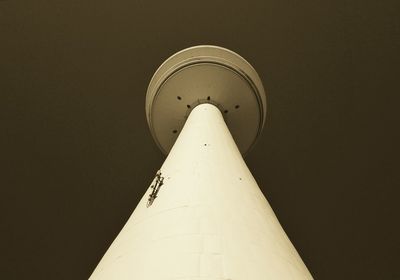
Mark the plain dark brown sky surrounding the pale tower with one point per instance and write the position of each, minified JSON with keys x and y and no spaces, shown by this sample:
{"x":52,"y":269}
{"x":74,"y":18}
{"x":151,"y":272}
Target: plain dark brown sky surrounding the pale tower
{"x":77,"y":155}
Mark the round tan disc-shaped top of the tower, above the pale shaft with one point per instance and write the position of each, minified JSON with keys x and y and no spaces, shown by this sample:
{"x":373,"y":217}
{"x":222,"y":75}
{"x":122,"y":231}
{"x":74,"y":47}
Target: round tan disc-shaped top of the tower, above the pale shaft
{"x":206,"y":74}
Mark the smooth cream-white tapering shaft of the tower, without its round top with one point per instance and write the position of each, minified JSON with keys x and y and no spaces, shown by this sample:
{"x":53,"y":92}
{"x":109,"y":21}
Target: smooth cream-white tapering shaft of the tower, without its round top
{"x":209,"y":221}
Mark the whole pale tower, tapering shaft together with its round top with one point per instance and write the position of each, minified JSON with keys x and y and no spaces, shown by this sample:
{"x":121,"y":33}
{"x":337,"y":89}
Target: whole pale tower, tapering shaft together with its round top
{"x":203,"y":217}
